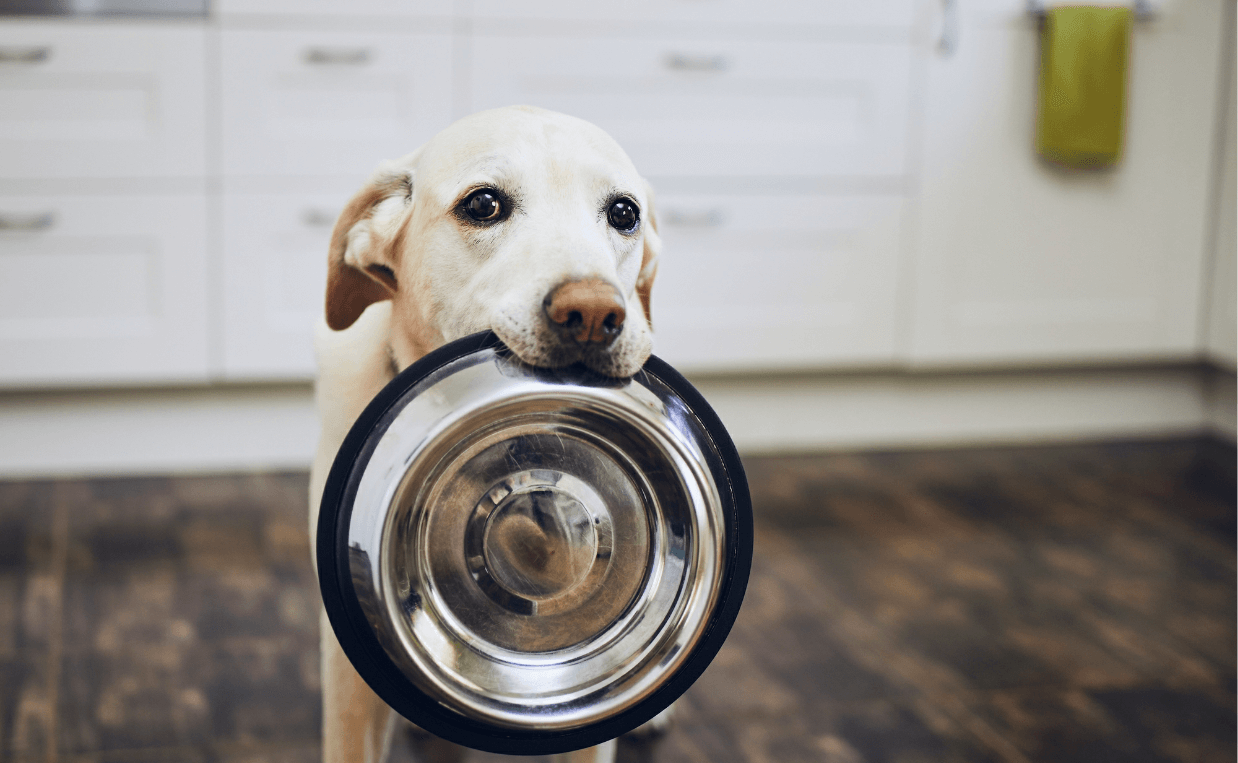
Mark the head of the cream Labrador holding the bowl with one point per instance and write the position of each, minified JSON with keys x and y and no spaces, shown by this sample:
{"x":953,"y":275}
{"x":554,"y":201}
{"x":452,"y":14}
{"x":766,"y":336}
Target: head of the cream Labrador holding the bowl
{"x":527,"y":222}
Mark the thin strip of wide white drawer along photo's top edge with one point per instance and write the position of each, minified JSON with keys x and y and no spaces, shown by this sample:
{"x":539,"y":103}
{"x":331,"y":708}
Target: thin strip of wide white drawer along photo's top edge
{"x":842,"y":13}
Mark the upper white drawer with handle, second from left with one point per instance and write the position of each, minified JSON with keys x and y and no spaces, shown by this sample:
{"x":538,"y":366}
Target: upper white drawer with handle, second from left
{"x":301,"y":103}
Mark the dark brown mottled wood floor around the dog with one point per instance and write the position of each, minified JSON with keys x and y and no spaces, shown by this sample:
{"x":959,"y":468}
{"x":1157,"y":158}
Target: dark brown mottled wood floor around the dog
{"x":1055,"y":604}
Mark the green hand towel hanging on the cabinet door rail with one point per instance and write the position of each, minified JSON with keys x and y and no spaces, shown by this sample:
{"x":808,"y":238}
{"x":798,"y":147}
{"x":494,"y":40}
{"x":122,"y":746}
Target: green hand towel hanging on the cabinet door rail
{"x":1083,"y":86}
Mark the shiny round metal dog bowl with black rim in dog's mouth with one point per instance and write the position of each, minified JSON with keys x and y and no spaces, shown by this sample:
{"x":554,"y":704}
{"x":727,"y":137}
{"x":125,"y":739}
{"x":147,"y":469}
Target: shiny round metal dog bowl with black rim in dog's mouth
{"x":527,"y":560}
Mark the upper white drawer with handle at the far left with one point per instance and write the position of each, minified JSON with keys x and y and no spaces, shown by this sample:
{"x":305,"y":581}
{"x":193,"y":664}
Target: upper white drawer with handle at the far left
{"x":102,"y":101}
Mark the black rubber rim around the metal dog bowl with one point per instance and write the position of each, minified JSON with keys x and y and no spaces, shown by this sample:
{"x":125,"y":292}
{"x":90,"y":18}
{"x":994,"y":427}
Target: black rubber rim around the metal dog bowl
{"x":387,"y":681}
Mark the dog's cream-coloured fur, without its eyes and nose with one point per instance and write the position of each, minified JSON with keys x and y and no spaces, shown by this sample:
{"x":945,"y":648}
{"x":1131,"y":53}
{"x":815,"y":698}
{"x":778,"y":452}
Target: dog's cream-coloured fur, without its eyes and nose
{"x":422,"y":277}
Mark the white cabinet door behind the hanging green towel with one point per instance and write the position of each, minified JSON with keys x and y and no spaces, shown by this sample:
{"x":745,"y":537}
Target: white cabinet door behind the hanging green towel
{"x":1022,"y":262}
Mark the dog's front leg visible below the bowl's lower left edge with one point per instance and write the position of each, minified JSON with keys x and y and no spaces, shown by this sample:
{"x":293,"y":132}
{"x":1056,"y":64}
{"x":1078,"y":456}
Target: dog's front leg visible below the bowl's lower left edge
{"x":355,"y":720}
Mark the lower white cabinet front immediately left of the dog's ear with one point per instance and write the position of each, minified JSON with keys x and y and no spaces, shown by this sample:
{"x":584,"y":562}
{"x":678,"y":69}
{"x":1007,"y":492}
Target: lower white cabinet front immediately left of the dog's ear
{"x":275,"y":277}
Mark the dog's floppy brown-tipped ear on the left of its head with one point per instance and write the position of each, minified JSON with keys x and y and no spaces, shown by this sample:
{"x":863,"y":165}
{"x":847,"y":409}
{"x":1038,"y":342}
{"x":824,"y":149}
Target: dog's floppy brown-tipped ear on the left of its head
{"x":362,"y":261}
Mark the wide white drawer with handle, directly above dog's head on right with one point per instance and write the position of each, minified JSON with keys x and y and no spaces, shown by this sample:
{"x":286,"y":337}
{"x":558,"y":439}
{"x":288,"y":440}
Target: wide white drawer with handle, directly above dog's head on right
{"x":691,"y":108}
